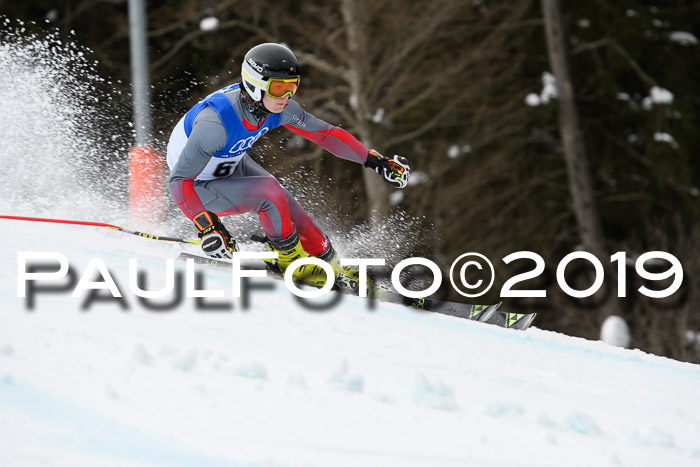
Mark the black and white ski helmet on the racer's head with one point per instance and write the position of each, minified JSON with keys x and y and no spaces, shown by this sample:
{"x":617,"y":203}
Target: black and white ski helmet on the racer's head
{"x":266,"y":61}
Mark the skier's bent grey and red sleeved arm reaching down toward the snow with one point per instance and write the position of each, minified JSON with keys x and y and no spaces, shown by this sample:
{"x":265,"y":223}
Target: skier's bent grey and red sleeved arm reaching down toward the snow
{"x":208,"y":136}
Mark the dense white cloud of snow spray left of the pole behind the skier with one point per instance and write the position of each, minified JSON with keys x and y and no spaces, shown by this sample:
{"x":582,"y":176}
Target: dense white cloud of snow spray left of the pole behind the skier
{"x":63,"y":144}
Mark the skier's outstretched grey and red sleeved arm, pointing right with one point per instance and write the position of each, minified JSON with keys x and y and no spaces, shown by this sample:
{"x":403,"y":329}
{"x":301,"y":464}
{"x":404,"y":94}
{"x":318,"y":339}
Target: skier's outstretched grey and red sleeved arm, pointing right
{"x":333,"y":139}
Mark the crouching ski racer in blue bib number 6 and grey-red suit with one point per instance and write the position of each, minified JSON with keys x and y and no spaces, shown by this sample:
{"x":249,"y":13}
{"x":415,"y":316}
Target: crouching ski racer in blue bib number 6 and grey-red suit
{"x":212,"y":175}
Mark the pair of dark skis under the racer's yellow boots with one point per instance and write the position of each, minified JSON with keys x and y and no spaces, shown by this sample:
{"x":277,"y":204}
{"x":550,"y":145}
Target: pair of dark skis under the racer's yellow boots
{"x":489,"y":314}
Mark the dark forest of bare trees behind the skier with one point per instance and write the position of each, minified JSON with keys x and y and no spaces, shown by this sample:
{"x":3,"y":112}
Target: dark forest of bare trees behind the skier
{"x":461,"y":88}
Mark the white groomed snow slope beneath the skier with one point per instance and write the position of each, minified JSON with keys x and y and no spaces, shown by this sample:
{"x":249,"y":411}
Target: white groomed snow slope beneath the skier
{"x":279,"y":385}
